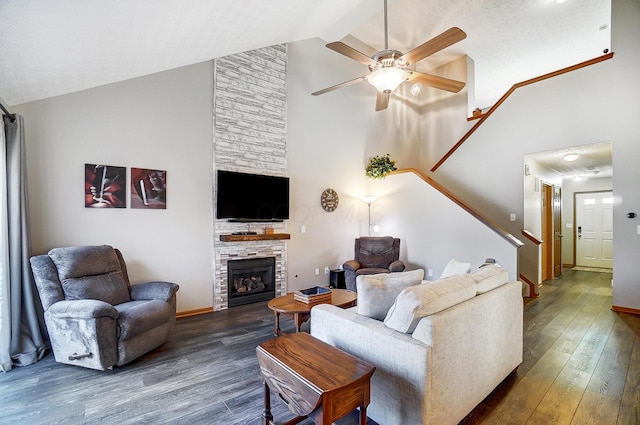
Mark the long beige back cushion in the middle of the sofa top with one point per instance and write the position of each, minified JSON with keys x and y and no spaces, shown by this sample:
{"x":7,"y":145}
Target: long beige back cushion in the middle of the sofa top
{"x":416,"y":302}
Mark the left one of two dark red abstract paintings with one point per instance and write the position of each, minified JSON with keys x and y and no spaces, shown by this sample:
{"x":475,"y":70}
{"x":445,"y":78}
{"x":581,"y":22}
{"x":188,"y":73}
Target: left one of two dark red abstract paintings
{"x":104,"y":186}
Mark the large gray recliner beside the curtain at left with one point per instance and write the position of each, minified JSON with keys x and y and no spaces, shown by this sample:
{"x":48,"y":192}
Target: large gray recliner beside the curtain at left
{"x":95,"y":318}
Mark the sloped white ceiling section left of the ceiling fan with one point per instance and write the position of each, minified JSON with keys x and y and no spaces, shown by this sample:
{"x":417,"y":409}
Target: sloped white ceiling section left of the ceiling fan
{"x":48,"y":48}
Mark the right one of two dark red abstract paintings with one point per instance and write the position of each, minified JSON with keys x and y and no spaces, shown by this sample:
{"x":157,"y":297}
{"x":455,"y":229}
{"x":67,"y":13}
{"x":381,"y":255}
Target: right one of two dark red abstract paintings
{"x":148,"y":188}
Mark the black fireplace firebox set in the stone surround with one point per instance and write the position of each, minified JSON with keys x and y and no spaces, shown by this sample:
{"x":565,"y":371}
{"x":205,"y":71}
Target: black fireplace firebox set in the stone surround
{"x":251,"y":280}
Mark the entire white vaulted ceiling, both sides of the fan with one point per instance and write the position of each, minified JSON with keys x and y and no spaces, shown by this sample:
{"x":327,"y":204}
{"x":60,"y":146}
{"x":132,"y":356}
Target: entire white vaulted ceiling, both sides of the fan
{"x":48,"y":48}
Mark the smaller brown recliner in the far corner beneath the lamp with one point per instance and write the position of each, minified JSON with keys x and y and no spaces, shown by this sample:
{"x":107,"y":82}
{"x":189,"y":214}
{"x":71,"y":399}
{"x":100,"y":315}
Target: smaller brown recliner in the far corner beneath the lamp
{"x":373,"y":255}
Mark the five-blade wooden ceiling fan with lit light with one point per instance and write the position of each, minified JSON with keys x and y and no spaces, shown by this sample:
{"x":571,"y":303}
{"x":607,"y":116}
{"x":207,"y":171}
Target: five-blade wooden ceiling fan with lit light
{"x":390,"y":68}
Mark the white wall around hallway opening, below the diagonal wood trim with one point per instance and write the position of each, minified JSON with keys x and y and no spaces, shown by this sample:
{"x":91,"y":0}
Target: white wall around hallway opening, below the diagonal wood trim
{"x":592,"y":105}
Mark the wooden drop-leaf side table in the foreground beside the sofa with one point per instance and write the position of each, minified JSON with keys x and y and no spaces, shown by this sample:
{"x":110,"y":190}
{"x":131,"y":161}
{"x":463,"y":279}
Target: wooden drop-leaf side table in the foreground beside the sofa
{"x":313,"y":378}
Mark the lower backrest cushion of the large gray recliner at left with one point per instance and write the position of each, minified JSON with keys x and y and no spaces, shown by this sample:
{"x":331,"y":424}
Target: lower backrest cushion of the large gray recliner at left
{"x":109,"y":288}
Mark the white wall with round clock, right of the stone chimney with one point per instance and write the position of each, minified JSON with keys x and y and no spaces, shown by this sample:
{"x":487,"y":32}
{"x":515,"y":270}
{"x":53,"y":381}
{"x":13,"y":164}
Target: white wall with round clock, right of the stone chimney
{"x":330,"y":139}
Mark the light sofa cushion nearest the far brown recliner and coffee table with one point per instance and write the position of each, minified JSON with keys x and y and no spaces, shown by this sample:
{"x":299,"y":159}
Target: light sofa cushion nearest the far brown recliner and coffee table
{"x":377,"y":292}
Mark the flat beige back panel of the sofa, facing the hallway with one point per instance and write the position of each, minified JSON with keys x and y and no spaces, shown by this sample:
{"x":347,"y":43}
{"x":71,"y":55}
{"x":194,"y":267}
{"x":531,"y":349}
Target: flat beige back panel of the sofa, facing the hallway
{"x":476,"y":344}
